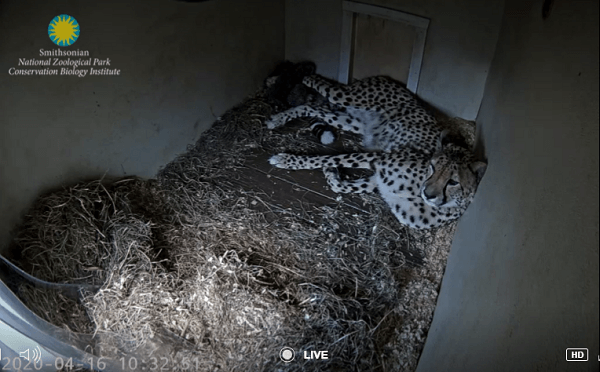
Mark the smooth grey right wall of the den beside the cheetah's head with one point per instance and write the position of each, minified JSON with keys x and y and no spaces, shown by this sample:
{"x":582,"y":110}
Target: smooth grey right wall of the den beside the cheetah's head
{"x":521,"y":283}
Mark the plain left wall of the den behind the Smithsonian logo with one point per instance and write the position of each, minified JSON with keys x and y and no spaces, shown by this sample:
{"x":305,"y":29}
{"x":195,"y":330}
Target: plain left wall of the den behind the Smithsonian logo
{"x":181,"y":66}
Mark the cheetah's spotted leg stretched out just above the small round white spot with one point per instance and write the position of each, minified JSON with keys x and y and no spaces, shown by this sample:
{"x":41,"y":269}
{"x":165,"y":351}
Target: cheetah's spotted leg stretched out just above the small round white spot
{"x":340,"y":120}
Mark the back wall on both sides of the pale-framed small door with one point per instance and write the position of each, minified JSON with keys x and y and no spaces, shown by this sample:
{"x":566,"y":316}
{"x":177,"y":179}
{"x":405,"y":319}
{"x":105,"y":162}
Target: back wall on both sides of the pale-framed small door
{"x":458,"y":52}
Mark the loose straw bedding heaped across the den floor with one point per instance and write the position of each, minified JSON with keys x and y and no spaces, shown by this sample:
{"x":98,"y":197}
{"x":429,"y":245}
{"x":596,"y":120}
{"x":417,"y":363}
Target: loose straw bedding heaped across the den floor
{"x":192,"y":270}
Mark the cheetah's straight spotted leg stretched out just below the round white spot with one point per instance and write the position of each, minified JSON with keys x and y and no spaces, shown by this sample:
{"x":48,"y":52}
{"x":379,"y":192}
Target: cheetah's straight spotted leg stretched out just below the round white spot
{"x":355,"y":160}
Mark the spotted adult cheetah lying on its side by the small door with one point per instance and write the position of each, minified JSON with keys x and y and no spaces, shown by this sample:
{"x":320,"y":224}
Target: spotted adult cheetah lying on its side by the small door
{"x":427,"y":177}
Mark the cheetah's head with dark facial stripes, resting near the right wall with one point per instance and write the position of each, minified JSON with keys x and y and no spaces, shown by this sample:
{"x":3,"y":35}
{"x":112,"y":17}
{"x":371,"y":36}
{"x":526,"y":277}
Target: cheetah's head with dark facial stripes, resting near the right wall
{"x":453,"y":175}
